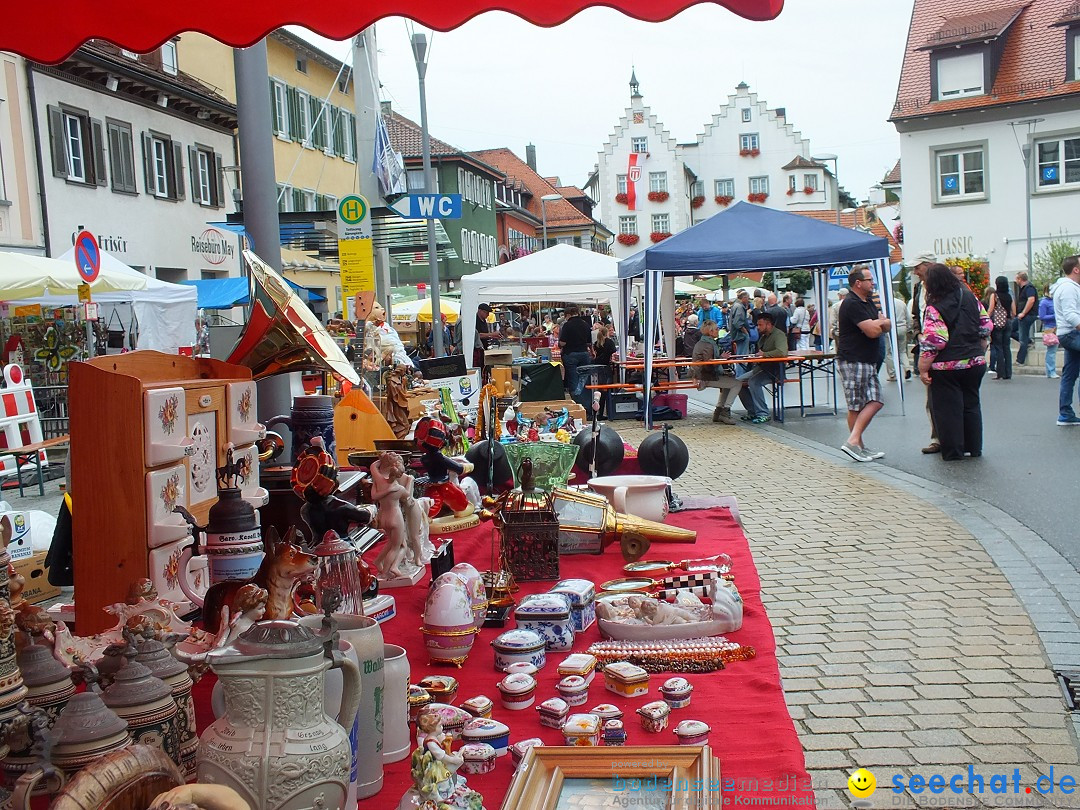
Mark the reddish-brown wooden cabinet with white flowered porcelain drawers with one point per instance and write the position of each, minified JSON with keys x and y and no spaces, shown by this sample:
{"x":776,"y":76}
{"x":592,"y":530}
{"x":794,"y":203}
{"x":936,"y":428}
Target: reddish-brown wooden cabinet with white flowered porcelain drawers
{"x":148,"y":433}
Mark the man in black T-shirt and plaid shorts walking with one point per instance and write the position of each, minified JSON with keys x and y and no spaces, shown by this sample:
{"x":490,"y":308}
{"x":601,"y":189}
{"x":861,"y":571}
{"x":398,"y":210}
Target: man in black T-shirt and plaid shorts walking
{"x":861,"y":325}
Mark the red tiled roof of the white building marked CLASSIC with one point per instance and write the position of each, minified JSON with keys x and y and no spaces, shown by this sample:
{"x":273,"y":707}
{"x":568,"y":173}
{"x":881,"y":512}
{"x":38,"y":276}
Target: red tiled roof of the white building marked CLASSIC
{"x":1033,"y":63}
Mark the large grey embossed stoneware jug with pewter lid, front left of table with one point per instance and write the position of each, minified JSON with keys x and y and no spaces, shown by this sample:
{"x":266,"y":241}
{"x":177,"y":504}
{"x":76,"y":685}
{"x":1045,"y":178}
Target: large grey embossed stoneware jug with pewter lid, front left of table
{"x":276,"y":746}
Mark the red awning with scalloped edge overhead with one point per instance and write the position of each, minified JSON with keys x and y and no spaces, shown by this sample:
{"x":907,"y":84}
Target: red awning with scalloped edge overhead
{"x":51,"y":31}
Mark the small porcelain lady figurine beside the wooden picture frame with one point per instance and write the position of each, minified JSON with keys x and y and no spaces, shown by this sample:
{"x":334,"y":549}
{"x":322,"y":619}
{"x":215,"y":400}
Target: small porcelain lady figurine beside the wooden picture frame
{"x":435,"y":772}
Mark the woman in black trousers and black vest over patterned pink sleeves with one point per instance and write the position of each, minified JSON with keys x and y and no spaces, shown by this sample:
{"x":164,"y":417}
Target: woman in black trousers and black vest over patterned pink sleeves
{"x":953,"y":361}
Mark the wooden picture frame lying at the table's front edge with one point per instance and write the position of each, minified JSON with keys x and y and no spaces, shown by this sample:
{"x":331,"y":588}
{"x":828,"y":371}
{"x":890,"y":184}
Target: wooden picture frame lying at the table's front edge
{"x":551,"y":778}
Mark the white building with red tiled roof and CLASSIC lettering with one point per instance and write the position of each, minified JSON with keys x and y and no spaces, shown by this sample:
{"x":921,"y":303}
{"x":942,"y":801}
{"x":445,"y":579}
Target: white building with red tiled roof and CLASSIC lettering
{"x":982,"y":86}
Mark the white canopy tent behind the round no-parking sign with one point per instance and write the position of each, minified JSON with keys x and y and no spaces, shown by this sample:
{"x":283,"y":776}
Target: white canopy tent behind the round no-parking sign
{"x":166,"y":313}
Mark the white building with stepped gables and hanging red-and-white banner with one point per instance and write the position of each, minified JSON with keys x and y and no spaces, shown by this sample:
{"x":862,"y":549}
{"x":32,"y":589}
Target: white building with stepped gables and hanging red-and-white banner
{"x":748,"y":152}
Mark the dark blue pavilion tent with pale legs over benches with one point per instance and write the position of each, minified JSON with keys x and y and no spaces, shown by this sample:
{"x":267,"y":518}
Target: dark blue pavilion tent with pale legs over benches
{"x":752,"y":238}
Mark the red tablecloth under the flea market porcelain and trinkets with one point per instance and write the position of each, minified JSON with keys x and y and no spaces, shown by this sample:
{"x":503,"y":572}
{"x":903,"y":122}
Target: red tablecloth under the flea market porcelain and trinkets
{"x":753,"y":735}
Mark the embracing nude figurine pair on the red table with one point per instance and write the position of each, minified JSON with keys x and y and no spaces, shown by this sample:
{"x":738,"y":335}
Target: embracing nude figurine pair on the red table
{"x":393,"y":491}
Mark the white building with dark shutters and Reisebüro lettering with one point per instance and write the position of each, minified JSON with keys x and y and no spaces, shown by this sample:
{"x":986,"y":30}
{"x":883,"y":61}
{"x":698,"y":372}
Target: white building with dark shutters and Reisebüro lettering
{"x":136,"y":151}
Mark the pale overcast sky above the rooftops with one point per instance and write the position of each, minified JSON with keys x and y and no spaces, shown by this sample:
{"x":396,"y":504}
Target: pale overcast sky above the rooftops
{"x":501,"y":82}
